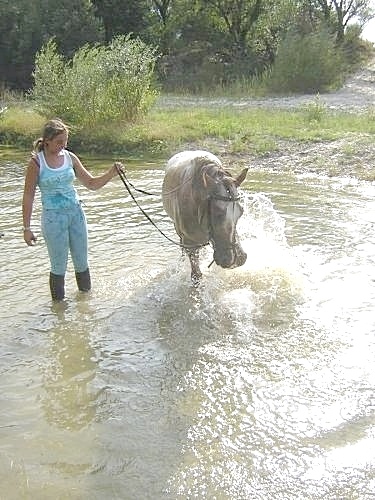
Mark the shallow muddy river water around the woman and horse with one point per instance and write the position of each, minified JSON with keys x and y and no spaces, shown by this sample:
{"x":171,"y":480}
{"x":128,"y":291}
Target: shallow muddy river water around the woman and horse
{"x":260,"y":384}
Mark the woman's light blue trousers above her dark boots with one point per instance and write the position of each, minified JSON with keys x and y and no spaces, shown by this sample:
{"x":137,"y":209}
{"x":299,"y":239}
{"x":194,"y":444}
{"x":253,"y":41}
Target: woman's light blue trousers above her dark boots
{"x":65,"y":230}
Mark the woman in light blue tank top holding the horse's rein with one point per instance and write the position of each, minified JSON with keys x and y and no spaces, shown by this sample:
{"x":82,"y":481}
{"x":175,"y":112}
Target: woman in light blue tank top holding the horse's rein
{"x":54,"y":169}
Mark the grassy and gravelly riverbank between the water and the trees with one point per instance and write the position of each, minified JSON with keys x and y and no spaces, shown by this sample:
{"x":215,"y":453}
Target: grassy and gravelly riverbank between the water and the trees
{"x":330,"y":134}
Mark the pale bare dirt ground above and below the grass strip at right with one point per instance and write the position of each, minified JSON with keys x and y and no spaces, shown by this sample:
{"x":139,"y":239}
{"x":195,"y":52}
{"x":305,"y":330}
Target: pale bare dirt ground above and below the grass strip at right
{"x":351,"y":156}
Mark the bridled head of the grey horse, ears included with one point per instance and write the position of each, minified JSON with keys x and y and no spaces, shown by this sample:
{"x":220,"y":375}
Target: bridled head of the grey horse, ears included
{"x":223,"y":212}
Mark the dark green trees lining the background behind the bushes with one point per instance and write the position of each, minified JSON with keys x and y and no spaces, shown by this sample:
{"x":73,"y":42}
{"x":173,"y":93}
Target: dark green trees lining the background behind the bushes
{"x":204,"y":43}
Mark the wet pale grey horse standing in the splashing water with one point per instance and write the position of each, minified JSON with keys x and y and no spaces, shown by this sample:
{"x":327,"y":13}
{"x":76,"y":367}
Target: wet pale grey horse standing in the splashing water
{"x":202,"y":200}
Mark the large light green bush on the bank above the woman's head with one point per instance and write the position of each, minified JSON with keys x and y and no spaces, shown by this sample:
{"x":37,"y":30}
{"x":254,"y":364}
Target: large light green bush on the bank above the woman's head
{"x":101,"y":84}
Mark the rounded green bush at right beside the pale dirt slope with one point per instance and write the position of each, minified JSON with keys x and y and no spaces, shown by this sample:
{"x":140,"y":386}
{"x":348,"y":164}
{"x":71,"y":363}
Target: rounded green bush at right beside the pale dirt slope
{"x":307,"y":63}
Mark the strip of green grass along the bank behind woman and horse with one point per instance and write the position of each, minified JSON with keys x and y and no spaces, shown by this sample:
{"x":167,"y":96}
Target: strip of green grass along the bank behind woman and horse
{"x":164,"y":130}
